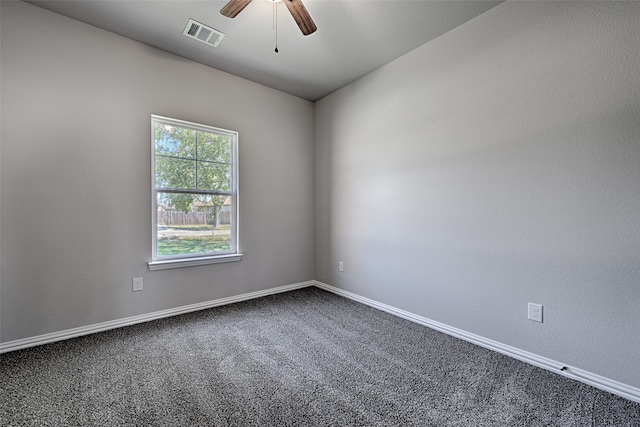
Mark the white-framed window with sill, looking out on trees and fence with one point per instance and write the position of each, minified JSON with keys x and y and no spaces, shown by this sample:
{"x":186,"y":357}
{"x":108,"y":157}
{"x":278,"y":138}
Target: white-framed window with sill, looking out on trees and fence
{"x":195,"y":194}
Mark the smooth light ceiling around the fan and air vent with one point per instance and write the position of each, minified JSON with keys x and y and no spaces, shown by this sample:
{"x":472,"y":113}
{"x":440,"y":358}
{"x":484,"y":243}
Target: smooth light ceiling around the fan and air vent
{"x":354,"y":37}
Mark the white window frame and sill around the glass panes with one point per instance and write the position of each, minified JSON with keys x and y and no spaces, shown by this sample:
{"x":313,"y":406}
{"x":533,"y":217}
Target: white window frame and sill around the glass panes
{"x":175,"y":261}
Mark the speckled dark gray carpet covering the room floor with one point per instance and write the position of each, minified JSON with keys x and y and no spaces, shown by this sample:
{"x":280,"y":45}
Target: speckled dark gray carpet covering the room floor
{"x":302,"y":358}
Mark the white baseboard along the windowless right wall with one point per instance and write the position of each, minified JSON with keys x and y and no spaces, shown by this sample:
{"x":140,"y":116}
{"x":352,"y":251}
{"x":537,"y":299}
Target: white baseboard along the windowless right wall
{"x":595,"y":380}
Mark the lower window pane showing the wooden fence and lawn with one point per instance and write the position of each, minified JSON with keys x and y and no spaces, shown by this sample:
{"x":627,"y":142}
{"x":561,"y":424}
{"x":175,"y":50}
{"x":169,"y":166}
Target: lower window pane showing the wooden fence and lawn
{"x":193,"y":224}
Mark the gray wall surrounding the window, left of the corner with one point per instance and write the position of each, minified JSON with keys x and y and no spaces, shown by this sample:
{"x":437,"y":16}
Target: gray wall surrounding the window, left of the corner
{"x":75,"y":174}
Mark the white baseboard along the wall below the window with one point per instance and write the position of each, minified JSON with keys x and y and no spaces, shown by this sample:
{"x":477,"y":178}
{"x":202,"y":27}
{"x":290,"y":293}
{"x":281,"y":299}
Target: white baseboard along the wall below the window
{"x":99,"y":327}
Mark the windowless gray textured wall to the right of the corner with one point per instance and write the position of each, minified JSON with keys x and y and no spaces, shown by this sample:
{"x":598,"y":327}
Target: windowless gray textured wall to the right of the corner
{"x":497,"y":165}
